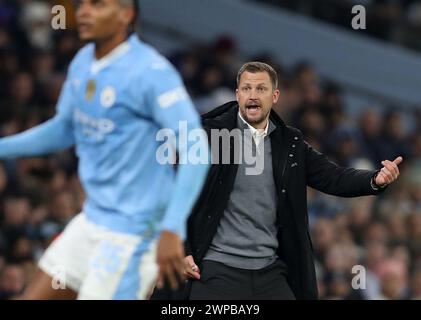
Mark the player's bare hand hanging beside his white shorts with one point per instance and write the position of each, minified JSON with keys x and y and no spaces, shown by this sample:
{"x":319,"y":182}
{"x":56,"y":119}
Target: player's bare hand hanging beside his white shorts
{"x":170,"y":259}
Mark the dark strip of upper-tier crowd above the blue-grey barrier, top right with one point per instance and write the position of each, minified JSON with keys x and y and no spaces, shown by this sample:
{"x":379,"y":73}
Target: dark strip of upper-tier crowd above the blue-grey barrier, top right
{"x":398,"y":21}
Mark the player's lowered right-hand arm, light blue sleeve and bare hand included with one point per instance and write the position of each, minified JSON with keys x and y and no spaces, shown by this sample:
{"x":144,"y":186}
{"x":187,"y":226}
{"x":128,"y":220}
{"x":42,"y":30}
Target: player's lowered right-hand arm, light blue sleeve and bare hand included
{"x":170,"y":106}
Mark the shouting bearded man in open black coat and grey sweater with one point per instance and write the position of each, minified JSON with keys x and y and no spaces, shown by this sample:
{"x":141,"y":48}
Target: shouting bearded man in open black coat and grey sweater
{"x":248,"y":237}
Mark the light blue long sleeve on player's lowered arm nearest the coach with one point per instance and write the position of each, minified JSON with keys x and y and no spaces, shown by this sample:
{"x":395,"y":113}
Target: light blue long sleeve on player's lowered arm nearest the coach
{"x":172,"y":108}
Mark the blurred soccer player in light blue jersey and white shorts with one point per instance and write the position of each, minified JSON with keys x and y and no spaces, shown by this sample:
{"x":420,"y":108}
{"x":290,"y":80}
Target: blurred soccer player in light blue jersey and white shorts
{"x":118,"y":93}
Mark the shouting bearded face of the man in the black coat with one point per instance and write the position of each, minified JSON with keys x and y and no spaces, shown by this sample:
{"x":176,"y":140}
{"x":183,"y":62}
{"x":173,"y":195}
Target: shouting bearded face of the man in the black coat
{"x":255,"y":97}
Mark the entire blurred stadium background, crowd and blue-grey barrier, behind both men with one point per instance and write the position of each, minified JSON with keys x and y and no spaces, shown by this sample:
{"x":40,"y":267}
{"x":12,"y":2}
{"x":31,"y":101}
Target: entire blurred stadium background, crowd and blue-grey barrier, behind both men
{"x":355,"y":94}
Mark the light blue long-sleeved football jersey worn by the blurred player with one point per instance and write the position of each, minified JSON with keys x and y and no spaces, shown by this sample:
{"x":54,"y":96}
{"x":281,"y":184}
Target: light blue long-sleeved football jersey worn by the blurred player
{"x":112,"y":109}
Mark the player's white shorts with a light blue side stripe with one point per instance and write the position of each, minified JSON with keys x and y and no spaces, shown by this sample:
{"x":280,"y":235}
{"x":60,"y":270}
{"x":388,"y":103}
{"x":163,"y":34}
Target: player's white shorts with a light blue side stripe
{"x":99,"y":263}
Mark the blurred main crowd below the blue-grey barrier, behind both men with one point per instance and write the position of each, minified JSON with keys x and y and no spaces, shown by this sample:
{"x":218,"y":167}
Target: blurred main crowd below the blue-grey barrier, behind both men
{"x":38,"y":196}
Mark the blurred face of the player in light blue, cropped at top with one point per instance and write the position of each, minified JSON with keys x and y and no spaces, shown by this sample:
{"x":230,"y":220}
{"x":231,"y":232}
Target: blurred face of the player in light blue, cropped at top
{"x":101,"y":19}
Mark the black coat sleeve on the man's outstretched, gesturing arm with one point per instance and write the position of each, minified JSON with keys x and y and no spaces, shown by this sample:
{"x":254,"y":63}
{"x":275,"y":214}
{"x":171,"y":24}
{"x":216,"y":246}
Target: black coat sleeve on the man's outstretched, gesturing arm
{"x":326,"y":176}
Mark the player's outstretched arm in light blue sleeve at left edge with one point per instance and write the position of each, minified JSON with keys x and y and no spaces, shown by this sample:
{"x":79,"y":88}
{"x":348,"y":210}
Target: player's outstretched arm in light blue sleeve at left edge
{"x":53,"y":135}
